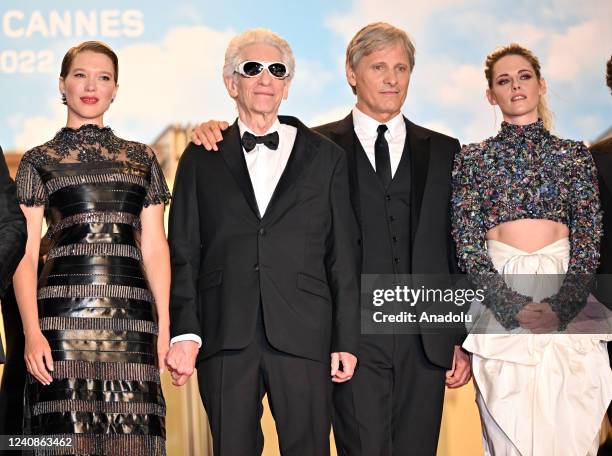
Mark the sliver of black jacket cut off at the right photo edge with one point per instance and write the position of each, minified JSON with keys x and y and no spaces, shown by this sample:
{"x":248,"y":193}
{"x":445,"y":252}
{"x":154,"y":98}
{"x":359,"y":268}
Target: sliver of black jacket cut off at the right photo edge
{"x":602,"y":154}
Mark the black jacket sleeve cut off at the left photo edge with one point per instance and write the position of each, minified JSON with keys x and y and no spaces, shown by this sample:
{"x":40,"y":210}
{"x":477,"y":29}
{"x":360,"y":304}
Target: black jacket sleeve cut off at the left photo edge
{"x":12,"y":231}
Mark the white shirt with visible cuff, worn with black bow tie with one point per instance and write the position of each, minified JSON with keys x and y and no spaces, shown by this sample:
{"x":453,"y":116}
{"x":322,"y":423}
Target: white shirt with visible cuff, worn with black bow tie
{"x":265,"y":168}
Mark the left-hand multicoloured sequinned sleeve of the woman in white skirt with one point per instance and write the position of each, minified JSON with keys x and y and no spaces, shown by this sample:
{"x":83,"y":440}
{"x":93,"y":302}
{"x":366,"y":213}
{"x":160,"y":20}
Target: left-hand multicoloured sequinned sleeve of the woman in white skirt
{"x":469,"y":231}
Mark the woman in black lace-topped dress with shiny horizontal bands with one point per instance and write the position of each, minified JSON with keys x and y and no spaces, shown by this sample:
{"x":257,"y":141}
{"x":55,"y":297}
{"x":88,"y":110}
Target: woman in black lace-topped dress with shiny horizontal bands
{"x":97,"y":324}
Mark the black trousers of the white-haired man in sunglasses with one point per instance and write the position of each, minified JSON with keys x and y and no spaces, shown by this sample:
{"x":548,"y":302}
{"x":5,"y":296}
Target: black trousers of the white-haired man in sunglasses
{"x":232,"y":385}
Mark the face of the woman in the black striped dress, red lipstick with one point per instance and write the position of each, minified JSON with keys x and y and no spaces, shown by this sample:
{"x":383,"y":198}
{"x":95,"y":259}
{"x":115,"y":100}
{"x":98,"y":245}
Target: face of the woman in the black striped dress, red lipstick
{"x":89,"y":87}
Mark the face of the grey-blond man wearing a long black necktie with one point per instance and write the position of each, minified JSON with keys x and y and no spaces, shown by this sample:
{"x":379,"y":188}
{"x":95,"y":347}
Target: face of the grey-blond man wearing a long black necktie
{"x":381,"y":80}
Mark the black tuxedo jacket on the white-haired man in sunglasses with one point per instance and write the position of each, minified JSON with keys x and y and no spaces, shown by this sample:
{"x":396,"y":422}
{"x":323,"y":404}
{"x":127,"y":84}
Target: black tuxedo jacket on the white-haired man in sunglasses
{"x":300,"y":260}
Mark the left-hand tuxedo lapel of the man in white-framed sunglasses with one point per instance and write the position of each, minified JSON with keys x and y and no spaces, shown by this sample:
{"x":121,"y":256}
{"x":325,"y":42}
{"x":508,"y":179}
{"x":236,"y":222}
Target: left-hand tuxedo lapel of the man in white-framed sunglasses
{"x":231,"y":151}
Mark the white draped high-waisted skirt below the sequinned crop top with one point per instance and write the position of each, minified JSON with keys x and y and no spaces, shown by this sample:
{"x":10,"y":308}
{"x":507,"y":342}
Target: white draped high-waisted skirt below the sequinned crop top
{"x":539,"y":394}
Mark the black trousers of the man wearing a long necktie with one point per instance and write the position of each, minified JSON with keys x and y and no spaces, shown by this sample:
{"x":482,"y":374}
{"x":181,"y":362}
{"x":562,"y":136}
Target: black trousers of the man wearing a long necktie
{"x":393,"y":404}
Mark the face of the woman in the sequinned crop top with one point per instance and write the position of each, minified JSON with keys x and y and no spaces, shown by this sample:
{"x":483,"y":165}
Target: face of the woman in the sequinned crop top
{"x":516,"y":89}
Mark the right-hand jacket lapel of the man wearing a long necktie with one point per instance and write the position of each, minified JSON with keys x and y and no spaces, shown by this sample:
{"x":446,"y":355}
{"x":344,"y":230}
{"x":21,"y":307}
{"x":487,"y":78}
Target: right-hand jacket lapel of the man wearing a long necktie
{"x":419,"y":155}
